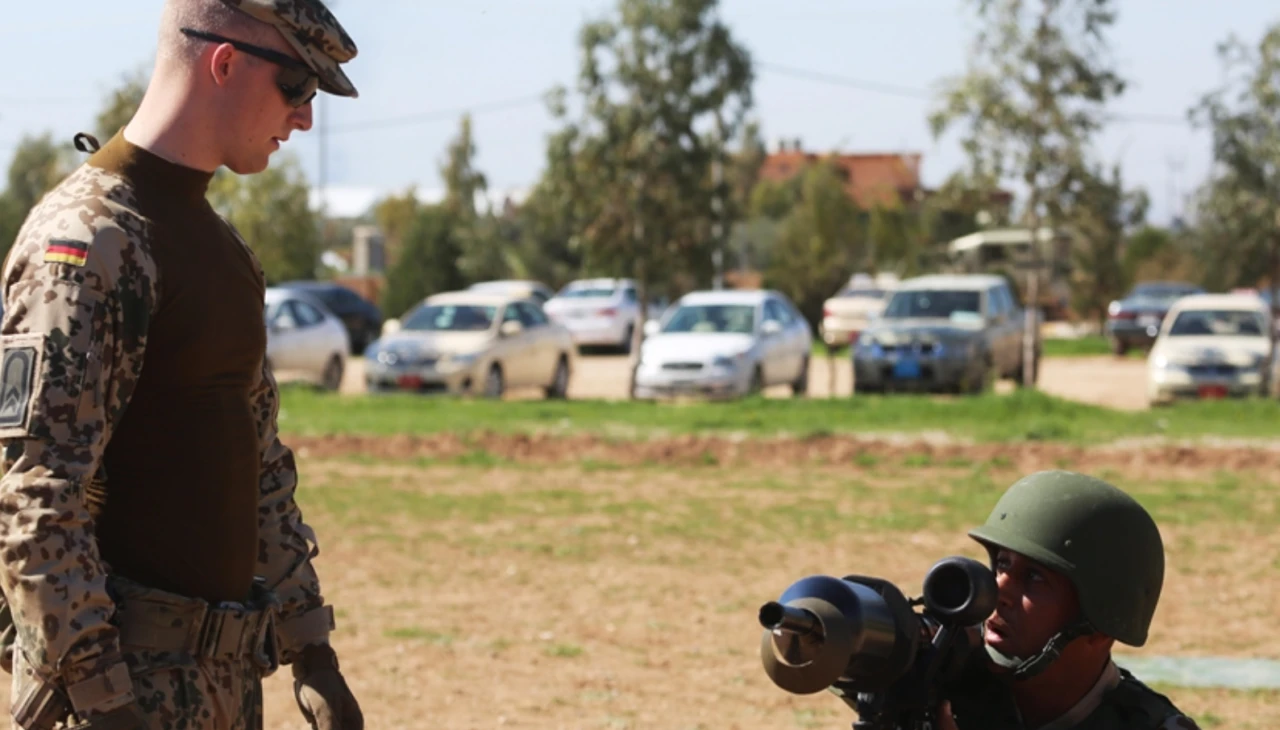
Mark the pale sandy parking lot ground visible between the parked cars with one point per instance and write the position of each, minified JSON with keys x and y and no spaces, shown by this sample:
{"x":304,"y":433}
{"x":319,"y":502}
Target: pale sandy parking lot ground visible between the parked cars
{"x":1114,"y":382}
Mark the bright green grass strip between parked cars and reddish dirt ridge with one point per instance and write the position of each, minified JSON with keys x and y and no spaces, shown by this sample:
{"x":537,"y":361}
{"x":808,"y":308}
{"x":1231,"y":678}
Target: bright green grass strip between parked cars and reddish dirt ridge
{"x":994,"y":418}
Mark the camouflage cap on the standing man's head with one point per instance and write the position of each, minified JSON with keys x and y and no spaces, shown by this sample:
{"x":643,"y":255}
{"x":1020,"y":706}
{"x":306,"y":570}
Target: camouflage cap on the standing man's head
{"x":314,"y":33}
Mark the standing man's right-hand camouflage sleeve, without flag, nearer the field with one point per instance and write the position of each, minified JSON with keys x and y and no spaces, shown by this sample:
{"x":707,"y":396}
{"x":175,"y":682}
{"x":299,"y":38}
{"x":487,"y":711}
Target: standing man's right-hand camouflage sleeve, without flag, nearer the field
{"x":286,"y":544}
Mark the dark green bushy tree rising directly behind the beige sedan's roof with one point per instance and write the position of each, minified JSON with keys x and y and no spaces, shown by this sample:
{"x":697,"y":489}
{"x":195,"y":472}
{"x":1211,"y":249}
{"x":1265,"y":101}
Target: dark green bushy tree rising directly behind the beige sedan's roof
{"x":428,"y":262}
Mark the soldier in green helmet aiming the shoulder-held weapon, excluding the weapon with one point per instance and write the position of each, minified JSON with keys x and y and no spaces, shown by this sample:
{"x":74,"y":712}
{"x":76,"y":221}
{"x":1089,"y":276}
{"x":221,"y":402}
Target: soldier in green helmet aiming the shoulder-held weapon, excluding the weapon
{"x":1080,"y":565}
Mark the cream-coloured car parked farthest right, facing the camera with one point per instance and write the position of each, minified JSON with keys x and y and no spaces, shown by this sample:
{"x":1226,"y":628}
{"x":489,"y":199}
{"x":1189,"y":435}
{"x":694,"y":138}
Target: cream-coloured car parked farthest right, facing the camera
{"x":1213,"y":346}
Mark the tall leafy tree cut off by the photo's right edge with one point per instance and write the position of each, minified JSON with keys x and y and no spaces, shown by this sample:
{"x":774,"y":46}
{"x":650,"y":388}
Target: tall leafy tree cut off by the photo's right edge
{"x":1240,"y":209}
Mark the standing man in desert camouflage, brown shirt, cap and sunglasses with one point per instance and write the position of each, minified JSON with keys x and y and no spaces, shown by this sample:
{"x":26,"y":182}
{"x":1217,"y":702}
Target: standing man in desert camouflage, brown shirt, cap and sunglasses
{"x":156,"y":563}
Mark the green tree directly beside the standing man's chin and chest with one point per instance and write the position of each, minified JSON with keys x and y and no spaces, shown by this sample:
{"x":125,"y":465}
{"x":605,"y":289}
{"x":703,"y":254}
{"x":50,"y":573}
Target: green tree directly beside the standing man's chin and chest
{"x":272,"y":212}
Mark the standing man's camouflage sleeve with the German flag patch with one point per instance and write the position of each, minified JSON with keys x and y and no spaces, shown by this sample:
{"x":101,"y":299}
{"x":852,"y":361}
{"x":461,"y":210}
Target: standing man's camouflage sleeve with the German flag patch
{"x":77,"y":313}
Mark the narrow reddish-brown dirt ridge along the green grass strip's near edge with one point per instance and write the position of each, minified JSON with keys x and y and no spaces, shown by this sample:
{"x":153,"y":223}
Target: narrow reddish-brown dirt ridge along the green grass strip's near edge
{"x":825,"y":450}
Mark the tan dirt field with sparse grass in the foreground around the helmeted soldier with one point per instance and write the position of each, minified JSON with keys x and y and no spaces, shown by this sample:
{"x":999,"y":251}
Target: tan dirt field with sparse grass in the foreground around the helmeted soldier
{"x":574,"y":583}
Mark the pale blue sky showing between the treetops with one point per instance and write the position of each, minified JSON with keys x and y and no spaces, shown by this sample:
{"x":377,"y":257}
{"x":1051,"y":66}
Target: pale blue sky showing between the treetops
{"x":424,"y":62}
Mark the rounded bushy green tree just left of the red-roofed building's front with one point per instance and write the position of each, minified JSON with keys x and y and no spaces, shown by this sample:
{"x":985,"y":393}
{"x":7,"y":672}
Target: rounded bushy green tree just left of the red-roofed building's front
{"x":820,"y":245}
